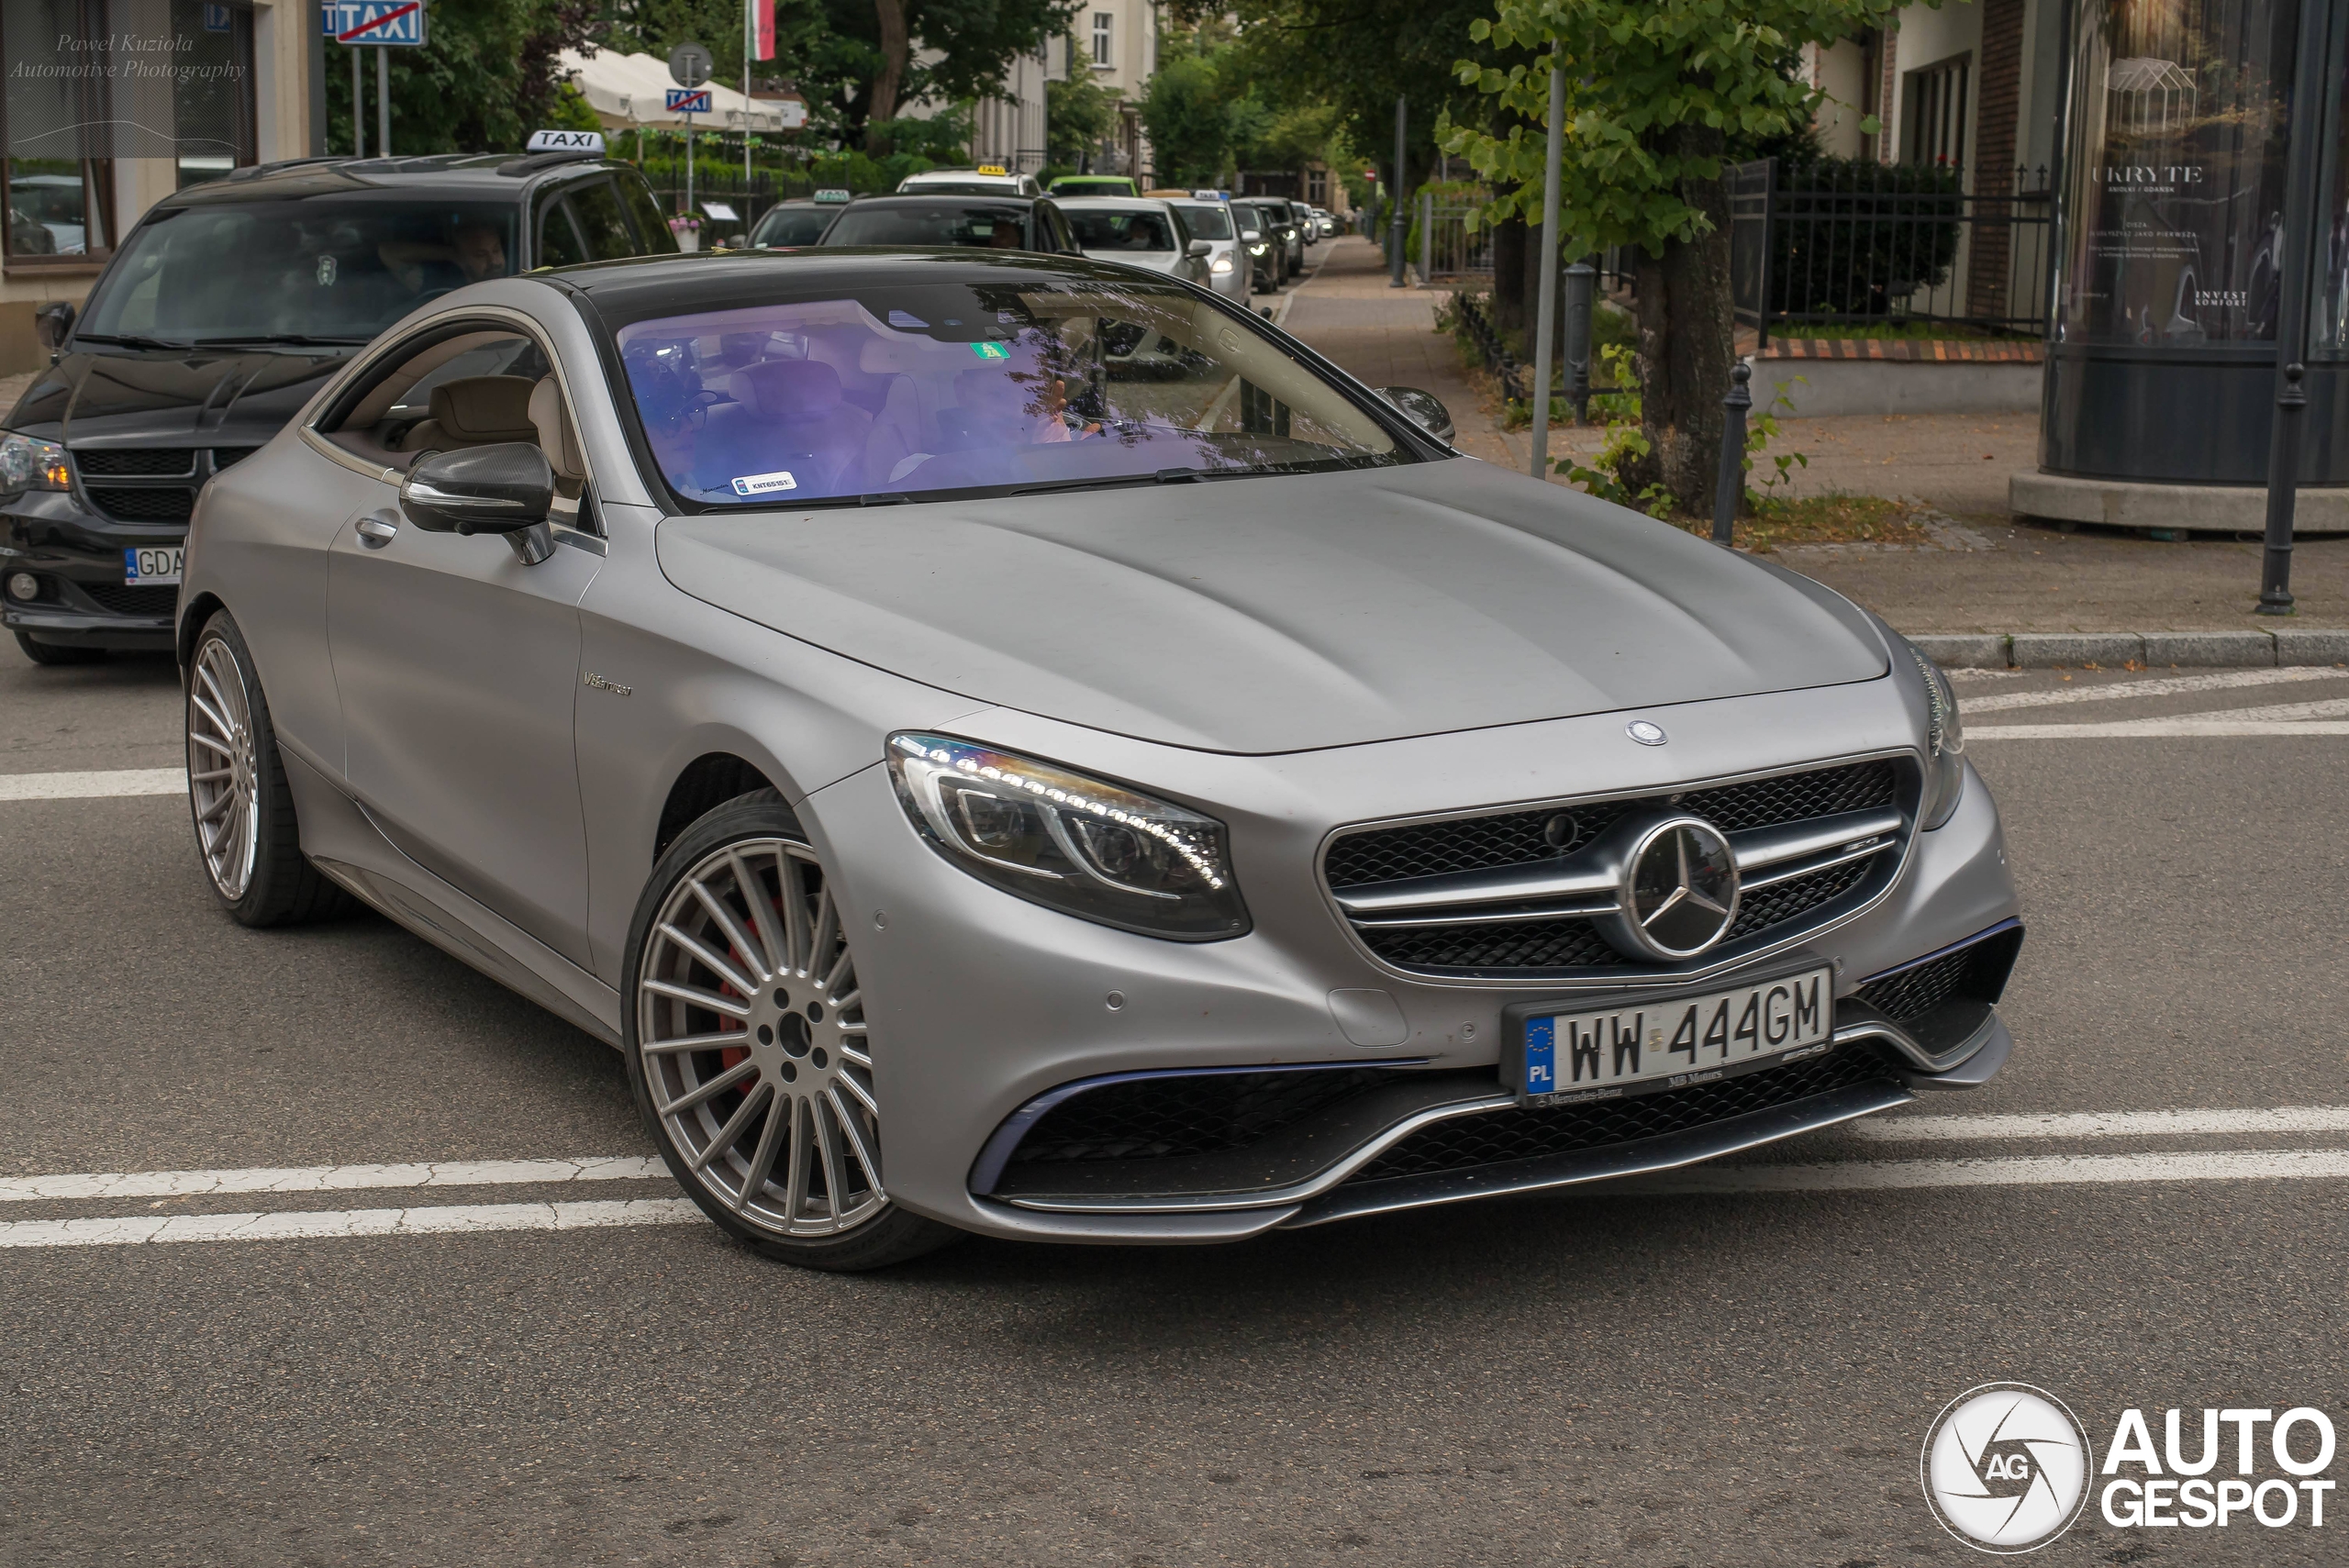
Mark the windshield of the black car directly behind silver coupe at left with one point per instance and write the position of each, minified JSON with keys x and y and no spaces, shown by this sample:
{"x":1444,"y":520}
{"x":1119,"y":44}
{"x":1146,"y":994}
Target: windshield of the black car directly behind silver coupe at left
{"x":316,"y":269}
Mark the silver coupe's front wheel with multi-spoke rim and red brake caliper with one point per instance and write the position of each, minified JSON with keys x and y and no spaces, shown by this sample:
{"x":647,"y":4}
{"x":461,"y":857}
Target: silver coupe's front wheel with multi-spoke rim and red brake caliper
{"x":748,"y":1050}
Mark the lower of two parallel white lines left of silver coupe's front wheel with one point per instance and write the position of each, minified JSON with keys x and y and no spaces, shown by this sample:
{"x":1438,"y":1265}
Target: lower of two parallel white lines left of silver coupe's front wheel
{"x":457,"y":1219}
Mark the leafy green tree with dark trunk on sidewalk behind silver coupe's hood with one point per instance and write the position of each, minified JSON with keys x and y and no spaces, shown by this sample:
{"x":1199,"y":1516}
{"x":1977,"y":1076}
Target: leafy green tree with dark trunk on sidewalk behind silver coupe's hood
{"x":1660,"y":93}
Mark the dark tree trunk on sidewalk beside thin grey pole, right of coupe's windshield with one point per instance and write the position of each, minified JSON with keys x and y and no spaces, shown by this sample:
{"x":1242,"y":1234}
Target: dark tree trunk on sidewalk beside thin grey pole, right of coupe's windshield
{"x":1685,"y":344}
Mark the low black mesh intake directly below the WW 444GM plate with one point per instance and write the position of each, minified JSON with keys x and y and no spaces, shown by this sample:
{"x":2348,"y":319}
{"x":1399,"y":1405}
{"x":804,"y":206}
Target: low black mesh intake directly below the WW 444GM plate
{"x":1497,"y":1137}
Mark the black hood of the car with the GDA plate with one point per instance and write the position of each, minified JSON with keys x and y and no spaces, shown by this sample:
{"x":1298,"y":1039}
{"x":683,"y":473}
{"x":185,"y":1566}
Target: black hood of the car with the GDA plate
{"x":173,"y":398}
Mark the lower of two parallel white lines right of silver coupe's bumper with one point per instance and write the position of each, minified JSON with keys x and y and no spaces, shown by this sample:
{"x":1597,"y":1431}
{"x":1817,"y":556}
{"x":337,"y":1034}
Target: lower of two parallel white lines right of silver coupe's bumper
{"x":2012,"y":1172}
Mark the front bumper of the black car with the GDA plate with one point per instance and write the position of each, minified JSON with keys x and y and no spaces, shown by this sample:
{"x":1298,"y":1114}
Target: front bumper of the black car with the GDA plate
{"x":79,"y":560}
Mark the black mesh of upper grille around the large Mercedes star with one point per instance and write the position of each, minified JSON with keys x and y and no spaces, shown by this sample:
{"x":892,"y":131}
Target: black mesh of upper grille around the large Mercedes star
{"x":1575,"y":942}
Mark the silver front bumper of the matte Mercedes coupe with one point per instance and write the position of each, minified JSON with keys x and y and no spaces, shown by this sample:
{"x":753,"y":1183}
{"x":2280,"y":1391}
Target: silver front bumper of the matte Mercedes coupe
{"x":983,"y":1006}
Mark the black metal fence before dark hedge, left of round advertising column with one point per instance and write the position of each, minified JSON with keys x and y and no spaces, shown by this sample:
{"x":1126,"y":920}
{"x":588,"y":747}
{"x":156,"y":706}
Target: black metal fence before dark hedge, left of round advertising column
{"x":1859,"y":243}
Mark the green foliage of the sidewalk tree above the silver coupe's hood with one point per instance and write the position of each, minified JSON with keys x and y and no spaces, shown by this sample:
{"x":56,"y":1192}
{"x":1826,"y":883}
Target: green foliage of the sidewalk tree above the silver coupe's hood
{"x":1641,"y":79}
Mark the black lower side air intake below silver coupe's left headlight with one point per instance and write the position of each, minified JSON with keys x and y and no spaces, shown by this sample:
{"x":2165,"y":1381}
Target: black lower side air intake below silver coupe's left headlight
{"x":1192,"y":1114}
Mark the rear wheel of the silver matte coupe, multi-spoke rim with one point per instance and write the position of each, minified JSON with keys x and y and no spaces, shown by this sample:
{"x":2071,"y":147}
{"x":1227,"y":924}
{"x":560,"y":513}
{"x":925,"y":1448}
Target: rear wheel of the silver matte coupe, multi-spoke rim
{"x":238,"y":797}
